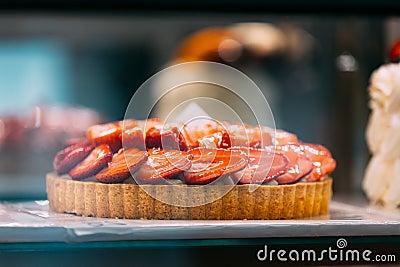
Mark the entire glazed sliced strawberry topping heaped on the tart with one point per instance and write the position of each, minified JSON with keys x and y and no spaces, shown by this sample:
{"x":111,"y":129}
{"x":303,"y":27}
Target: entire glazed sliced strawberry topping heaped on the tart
{"x":199,"y":152}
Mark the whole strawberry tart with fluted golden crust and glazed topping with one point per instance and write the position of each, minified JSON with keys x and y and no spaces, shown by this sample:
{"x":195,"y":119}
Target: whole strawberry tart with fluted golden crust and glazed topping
{"x":147,"y":170}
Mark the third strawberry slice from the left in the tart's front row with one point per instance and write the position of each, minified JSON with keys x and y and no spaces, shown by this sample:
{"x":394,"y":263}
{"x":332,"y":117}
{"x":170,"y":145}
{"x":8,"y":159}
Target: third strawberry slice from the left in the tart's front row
{"x":121,"y":166}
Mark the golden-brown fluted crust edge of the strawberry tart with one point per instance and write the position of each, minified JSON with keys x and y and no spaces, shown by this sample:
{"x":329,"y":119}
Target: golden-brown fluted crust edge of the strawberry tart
{"x":129,"y":201}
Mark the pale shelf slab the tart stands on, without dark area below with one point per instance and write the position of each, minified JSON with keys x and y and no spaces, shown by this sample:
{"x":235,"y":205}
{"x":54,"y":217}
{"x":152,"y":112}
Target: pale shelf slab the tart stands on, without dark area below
{"x":33,"y":222}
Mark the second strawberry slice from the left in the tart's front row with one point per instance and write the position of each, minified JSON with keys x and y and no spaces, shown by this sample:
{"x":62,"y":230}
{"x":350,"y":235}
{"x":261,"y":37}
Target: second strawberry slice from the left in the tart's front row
{"x":92,"y":164}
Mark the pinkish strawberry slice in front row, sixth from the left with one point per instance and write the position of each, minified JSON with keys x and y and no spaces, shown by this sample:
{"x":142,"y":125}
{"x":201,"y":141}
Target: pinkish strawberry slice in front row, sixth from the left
{"x":263,"y":166}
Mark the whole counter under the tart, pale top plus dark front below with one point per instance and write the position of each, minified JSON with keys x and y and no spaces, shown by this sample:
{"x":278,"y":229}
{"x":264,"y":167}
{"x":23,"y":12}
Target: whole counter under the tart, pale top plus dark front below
{"x":29,"y":232}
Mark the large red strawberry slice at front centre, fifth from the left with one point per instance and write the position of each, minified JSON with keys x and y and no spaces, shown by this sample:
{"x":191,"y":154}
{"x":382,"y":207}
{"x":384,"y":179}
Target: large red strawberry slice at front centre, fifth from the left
{"x":208,"y":164}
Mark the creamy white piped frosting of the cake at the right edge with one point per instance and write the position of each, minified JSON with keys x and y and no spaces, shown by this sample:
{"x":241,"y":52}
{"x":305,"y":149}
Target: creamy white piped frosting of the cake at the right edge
{"x":382,"y":177}
